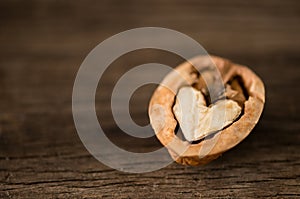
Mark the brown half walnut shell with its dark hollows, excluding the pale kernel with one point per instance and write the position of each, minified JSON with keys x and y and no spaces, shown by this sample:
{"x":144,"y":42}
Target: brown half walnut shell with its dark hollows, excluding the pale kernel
{"x":248,"y":91}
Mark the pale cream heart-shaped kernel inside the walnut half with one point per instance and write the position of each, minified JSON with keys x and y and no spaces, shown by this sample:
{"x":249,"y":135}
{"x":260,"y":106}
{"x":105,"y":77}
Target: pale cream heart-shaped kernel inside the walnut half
{"x":196,"y":119}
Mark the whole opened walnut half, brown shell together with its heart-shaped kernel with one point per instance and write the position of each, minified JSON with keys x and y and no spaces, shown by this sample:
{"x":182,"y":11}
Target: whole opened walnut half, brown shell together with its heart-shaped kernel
{"x":243,"y":90}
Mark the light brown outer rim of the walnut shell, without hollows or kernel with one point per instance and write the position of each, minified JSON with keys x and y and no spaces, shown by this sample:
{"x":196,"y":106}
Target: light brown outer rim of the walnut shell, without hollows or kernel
{"x":228,"y":137}
